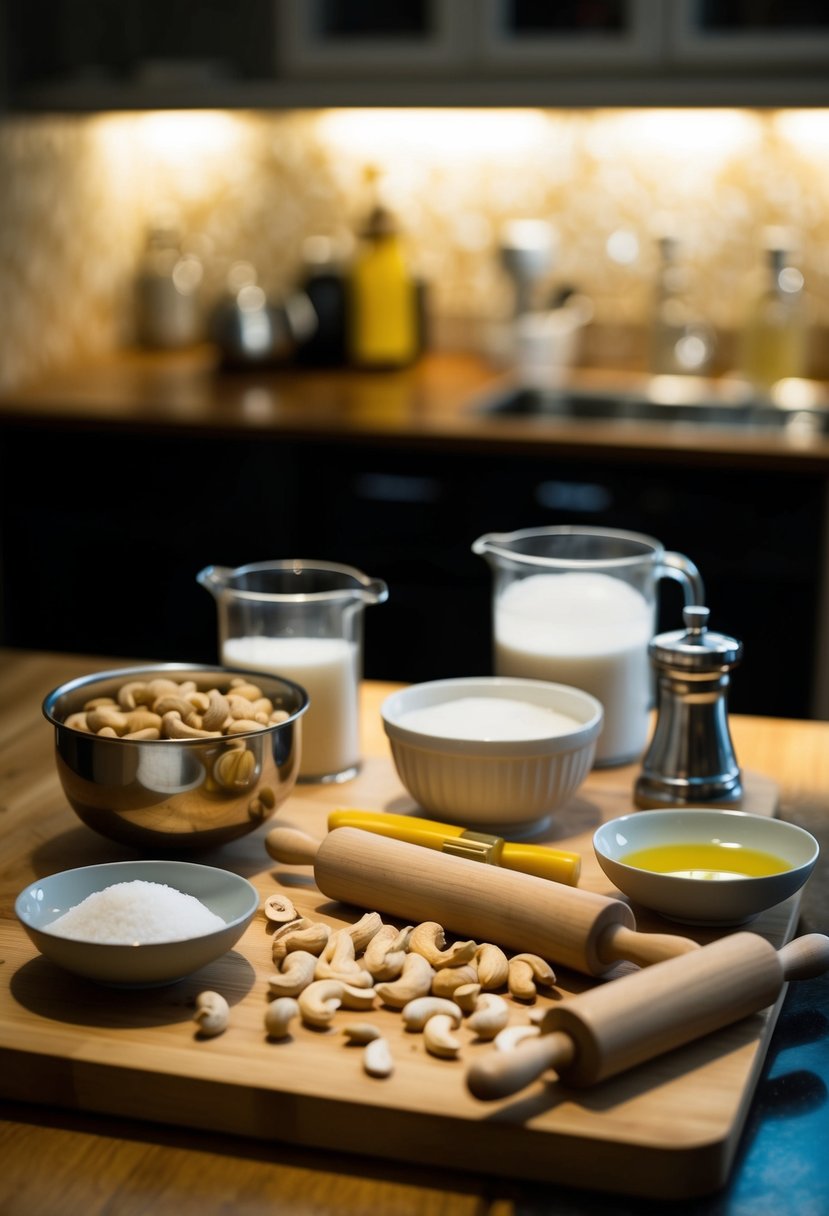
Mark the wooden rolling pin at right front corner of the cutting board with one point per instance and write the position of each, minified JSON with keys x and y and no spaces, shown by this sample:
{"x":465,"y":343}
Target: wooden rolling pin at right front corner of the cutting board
{"x":641,"y":1016}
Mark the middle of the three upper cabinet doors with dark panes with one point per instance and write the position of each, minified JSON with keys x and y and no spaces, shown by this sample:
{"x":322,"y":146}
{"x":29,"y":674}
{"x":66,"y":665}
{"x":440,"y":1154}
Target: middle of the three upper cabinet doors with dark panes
{"x":569,"y":35}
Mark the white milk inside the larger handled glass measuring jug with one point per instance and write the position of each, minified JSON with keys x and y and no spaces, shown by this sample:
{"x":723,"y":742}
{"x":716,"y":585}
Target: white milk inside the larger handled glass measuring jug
{"x":590,"y":632}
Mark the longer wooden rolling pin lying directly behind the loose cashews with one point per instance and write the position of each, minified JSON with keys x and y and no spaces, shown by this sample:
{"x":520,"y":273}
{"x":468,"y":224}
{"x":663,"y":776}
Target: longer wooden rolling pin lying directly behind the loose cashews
{"x":565,"y":925}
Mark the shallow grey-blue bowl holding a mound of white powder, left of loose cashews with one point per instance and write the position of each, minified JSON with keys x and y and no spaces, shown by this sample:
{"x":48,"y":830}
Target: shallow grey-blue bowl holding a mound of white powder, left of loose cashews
{"x":140,"y":966}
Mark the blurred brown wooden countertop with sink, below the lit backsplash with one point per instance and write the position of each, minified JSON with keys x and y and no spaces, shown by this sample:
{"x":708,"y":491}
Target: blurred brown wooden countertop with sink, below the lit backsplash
{"x":432,"y":404}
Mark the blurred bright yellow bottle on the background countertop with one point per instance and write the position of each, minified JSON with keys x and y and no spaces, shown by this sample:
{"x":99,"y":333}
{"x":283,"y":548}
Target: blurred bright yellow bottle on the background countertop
{"x":382,"y":305}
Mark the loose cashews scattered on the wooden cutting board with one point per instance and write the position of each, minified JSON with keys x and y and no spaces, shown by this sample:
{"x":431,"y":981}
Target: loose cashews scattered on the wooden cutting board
{"x":437,"y":987}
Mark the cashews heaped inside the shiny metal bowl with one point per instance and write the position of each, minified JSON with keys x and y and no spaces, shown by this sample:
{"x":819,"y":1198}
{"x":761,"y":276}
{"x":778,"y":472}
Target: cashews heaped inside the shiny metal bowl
{"x":171,"y":710}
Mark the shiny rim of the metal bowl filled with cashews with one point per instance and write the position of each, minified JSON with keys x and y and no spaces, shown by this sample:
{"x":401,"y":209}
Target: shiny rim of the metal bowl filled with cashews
{"x":167,"y":669}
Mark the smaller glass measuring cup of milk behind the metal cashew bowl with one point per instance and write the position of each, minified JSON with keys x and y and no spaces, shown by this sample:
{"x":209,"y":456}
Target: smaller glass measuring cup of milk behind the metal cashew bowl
{"x":302,"y":621}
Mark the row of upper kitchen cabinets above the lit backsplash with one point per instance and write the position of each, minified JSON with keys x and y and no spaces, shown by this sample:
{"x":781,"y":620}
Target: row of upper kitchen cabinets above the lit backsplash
{"x":289,"y":54}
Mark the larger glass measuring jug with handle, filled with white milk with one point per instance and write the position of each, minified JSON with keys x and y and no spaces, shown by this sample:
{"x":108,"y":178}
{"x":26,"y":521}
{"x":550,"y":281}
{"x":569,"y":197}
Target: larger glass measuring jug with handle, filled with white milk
{"x":578,"y":606}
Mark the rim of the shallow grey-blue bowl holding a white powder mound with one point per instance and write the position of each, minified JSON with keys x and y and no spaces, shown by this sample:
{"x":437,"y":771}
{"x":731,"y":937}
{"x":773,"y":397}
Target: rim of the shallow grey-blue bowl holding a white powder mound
{"x":99,"y":948}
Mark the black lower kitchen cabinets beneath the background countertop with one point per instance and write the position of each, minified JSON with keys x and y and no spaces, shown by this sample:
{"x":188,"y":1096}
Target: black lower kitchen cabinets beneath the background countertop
{"x":105,"y":562}
